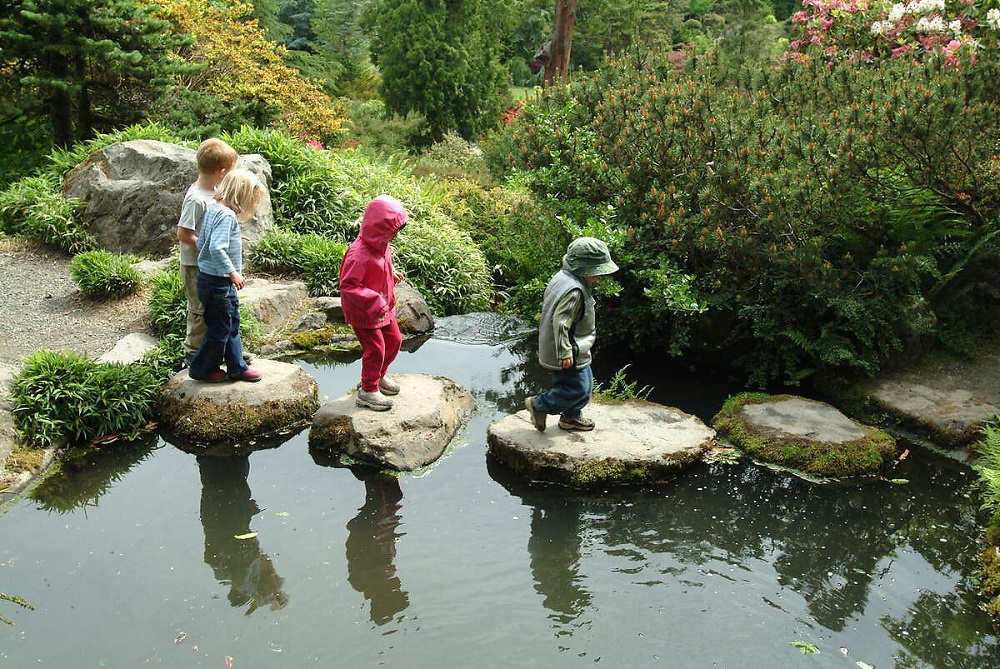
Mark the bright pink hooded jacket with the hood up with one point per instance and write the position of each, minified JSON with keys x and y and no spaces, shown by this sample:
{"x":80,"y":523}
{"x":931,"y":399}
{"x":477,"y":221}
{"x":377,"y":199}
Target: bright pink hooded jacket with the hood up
{"x":366,"y":274}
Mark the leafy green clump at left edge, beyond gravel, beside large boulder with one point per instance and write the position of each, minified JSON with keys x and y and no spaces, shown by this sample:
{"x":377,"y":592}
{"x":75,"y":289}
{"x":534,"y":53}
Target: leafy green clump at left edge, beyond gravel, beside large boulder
{"x":34,"y":208}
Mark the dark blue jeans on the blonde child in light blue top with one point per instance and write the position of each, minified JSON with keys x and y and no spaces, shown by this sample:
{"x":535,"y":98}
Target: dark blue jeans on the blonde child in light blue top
{"x":222,"y":341}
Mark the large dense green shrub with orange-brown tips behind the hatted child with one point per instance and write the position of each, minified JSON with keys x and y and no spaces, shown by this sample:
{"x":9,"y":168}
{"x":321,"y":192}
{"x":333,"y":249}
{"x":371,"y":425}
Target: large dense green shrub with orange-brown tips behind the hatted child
{"x":782,"y":216}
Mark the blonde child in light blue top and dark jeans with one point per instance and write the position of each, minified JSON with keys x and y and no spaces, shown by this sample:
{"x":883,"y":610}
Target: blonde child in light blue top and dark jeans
{"x":220,"y":267}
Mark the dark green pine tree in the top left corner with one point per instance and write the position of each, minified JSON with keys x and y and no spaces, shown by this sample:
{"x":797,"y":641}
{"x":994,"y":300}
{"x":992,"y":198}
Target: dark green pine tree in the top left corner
{"x":86,"y":65}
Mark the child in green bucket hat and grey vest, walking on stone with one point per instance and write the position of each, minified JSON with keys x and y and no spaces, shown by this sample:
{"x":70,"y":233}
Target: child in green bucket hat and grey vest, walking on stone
{"x":566,"y":333}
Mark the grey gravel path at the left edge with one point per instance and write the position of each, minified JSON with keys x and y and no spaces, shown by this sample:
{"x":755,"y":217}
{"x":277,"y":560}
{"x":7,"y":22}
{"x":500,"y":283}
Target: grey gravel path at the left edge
{"x":41,"y":307}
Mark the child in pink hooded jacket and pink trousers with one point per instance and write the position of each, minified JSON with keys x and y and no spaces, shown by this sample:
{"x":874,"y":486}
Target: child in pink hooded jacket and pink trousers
{"x":367,"y":279}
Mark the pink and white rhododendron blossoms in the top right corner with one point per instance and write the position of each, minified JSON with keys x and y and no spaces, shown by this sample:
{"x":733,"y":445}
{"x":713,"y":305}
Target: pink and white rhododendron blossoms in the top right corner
{"x":867,"y":31}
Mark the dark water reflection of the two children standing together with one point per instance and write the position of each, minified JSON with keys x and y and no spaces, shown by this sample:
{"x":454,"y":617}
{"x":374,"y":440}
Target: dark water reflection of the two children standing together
{"x":226,"y":510}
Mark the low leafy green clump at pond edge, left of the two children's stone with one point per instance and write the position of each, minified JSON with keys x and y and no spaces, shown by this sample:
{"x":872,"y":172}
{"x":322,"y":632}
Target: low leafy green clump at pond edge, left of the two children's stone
{"x":67,"y":397}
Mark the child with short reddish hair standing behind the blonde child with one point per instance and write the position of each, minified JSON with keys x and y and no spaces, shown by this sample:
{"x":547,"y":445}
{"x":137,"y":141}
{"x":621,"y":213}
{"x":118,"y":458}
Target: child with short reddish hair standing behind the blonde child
{"x":214,"y":159}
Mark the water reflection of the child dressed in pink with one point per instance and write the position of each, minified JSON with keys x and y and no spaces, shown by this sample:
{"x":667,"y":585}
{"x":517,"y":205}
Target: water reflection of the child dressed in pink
{"x":371,"y":545}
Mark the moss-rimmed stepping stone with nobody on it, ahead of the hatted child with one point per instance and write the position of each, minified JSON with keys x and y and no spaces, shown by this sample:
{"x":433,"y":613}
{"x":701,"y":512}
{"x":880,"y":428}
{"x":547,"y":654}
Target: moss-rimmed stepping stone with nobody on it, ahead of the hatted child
{"x":805,"y":435}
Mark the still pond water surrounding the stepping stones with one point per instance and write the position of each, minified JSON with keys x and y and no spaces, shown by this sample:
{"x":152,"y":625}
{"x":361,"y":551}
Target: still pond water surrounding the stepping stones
{"x":280,"y":559}
